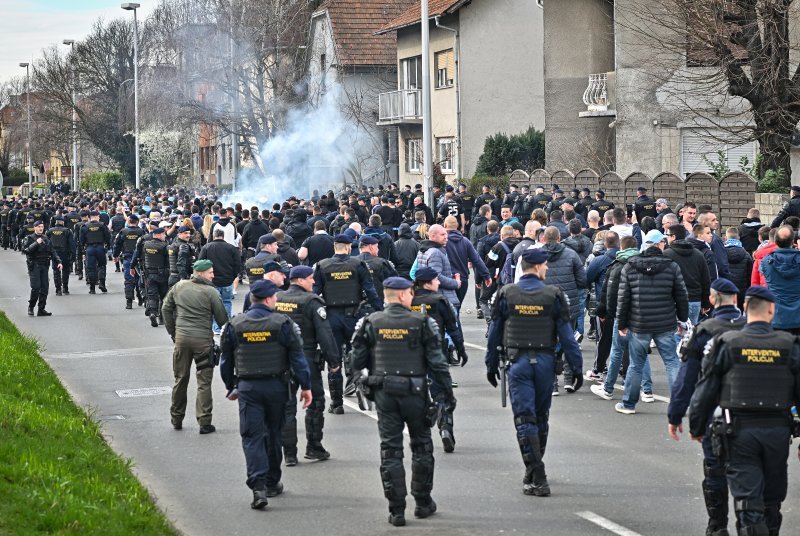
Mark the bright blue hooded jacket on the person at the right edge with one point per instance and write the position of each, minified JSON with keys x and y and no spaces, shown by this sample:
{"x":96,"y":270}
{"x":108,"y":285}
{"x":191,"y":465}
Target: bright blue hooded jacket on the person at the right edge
{"x":781,"y":270}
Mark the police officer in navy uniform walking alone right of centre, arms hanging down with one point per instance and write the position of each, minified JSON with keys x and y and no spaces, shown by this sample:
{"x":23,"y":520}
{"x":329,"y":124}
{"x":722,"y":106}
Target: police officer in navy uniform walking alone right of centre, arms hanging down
{"x":528,"y":320}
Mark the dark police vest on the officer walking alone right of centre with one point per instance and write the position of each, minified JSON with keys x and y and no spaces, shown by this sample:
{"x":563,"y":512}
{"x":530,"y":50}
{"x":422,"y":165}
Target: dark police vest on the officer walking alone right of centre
{"x":530,"y":324}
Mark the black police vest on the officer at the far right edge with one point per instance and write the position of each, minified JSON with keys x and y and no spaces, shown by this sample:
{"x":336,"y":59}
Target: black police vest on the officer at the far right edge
{"x":759,"y":378}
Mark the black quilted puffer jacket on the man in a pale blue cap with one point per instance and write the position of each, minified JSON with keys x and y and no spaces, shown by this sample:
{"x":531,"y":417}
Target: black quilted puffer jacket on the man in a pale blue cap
{"x":651,"y":294}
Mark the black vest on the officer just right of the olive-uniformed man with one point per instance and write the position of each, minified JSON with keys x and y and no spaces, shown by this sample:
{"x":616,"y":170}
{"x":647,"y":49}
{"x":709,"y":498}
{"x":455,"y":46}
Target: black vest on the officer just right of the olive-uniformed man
{"x":258,"y":353}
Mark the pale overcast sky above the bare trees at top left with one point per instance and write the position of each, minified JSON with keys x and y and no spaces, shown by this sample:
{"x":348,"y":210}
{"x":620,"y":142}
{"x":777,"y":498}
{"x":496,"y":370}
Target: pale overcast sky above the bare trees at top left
{"x":28,"y":26}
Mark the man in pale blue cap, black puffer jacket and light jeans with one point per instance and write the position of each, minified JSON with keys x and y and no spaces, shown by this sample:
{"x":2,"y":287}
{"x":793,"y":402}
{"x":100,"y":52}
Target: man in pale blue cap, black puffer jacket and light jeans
{"x":651,"y":295}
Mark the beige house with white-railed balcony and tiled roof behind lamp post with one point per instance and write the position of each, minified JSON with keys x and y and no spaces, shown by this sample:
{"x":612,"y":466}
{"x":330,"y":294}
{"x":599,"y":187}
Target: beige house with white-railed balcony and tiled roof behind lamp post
{"x":486,"y":77}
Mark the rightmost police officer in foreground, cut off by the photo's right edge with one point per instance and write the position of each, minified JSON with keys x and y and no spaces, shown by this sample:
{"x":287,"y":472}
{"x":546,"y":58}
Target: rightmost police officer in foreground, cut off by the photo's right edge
{"x":752,"y":374}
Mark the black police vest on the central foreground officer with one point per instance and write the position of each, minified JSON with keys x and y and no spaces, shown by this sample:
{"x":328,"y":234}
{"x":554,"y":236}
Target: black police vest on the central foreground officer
{"x":398,"y":349}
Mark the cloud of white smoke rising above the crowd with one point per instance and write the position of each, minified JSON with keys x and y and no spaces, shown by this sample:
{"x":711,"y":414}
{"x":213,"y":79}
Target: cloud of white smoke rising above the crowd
{"x":312,"y":152}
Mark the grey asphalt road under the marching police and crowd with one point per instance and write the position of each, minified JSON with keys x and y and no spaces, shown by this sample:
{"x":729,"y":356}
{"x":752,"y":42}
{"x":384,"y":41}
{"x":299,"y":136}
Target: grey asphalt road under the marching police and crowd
{"x":609,"y":473}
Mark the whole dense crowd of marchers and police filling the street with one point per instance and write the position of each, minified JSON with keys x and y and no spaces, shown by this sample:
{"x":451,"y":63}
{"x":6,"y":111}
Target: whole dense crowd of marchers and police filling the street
{"x":369,"y":284}
